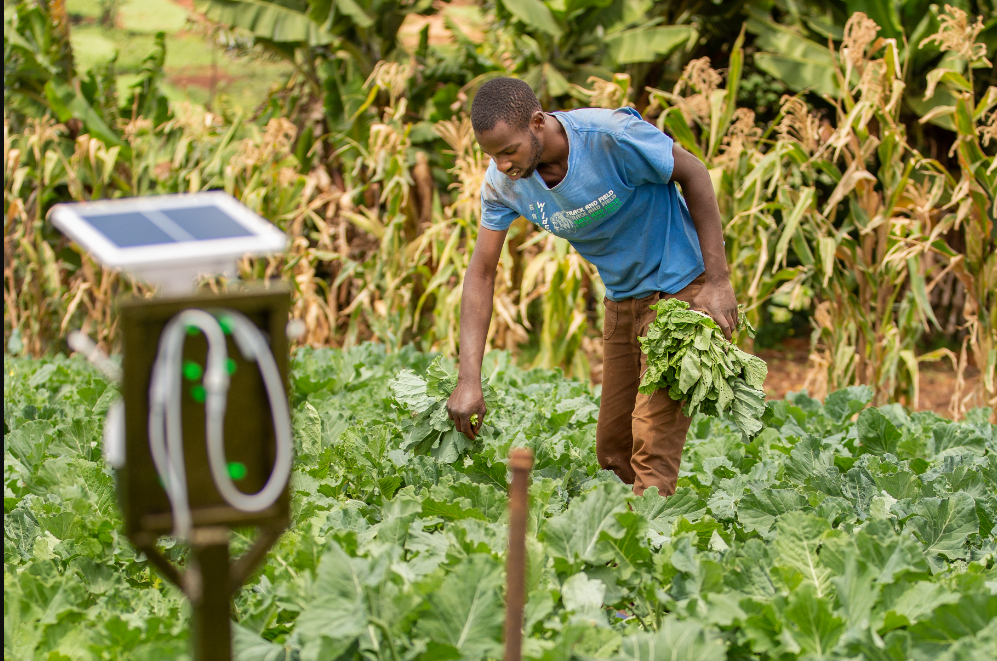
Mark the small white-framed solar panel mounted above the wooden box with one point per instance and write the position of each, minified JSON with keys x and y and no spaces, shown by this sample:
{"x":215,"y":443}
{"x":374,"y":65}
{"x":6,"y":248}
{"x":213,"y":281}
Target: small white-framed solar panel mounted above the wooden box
{"x":169,"y":239}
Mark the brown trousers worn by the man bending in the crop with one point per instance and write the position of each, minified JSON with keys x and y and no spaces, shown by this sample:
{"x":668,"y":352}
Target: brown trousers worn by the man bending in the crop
{"x":639,"y":437}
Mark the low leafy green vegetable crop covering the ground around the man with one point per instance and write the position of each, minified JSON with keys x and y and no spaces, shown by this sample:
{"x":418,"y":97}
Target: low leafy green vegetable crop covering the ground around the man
{"x":841,"y":532}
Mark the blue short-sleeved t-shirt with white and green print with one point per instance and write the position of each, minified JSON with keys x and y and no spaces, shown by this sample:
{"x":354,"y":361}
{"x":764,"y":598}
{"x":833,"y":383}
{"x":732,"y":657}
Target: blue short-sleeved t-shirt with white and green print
{"x":616,"y":205}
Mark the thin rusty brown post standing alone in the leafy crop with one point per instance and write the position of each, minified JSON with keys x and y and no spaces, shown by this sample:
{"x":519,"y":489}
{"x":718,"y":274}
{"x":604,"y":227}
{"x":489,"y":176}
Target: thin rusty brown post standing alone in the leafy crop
{"x":521,"y":463}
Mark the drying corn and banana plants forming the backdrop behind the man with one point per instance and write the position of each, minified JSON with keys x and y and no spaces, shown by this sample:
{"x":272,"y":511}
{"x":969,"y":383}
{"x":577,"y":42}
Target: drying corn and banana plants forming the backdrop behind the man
{"x":865,"y":201}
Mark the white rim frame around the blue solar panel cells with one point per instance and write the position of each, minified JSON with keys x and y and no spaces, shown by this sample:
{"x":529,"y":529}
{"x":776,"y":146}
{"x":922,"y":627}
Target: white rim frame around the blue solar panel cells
{"x":72,"y":219}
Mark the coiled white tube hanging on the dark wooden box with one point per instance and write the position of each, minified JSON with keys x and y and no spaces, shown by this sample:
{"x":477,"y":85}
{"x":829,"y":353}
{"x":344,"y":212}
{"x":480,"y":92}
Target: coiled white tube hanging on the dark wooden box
{"x":165,"y":419}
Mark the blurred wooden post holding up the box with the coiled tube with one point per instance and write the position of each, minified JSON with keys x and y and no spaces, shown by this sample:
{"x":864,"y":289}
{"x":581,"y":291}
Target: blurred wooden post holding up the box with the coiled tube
{"x":210,"y":591}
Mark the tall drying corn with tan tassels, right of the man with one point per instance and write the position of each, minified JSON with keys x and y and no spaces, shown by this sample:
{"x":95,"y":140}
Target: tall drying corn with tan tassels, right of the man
{"x":843,"y":215}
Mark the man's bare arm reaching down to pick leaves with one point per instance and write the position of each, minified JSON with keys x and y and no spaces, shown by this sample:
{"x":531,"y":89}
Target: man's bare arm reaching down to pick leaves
{"x":475,"y":315}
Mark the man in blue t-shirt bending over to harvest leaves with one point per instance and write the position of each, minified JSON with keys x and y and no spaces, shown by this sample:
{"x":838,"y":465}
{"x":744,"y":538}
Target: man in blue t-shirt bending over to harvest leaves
{"x":605,"y":180}
